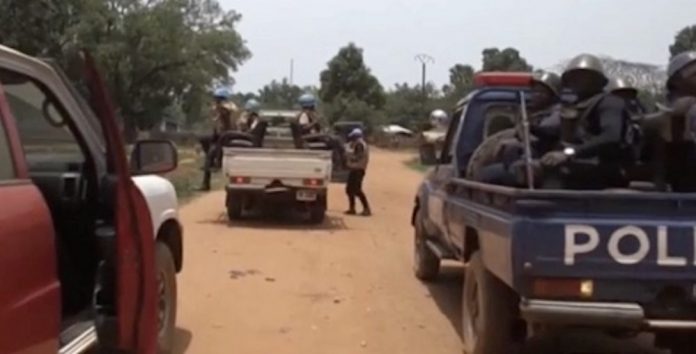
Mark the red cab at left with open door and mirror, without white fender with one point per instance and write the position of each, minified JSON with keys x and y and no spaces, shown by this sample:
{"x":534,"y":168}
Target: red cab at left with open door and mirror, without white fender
{"x":77,"y":250}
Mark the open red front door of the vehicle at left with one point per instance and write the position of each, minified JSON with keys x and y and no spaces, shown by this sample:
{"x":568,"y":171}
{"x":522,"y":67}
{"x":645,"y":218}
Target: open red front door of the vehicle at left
{"x":135,"y":285}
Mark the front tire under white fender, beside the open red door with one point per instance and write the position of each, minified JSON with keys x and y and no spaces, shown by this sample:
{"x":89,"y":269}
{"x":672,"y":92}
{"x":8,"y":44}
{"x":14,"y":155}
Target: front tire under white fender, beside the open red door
{"x":167,"y":298}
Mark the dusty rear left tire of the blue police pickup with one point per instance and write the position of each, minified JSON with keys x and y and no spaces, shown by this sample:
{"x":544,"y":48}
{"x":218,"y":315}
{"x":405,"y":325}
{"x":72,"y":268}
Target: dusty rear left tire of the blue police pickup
{"x":494,"y":306}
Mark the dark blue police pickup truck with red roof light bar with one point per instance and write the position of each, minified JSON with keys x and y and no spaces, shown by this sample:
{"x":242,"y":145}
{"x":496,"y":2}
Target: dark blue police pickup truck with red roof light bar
{"x":539,"y":260}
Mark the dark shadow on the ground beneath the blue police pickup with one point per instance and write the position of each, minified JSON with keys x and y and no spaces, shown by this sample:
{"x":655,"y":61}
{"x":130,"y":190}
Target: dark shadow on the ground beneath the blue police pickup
{"x":446,"y":291}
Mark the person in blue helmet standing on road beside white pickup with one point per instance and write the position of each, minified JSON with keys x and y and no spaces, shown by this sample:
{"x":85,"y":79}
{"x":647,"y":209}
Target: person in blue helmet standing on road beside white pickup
{"x":358,"y":156}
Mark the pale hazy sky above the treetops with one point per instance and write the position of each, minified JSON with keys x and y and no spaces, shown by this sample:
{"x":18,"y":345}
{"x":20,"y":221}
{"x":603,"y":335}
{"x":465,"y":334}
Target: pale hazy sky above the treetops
{"x":392,"y":32}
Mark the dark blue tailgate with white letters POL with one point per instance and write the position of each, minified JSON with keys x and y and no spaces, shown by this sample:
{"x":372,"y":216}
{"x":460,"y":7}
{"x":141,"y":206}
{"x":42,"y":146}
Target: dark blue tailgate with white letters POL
{"x":611,"y":236}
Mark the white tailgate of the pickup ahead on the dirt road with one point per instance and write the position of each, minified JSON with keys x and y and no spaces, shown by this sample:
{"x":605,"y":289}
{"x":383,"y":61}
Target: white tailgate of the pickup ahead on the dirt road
{"x":279,"y":164}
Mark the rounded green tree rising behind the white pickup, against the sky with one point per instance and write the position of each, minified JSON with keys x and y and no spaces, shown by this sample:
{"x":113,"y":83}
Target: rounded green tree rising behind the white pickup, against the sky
{"x":348,"y":78}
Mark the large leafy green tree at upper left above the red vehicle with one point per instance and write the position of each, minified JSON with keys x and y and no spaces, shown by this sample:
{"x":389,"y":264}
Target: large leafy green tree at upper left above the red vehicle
{"x":156,"y":55}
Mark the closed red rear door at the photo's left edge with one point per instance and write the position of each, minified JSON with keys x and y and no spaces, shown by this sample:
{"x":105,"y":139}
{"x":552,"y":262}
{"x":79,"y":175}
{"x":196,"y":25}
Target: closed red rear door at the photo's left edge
{"x":30,"y":310}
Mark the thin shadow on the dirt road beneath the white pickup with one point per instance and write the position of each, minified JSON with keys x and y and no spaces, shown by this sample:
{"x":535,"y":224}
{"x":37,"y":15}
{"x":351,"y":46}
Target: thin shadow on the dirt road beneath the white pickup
{"x":287,"y":221}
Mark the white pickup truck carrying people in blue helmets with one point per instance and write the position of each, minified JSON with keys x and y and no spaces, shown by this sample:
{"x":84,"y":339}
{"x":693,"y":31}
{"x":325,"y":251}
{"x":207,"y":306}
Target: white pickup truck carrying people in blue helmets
{"x":258,"y":177}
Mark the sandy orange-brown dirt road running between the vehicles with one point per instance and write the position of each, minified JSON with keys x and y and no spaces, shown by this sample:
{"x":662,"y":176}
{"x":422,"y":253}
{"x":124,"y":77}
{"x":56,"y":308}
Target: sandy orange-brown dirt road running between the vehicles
{"x":343,"y":287}
